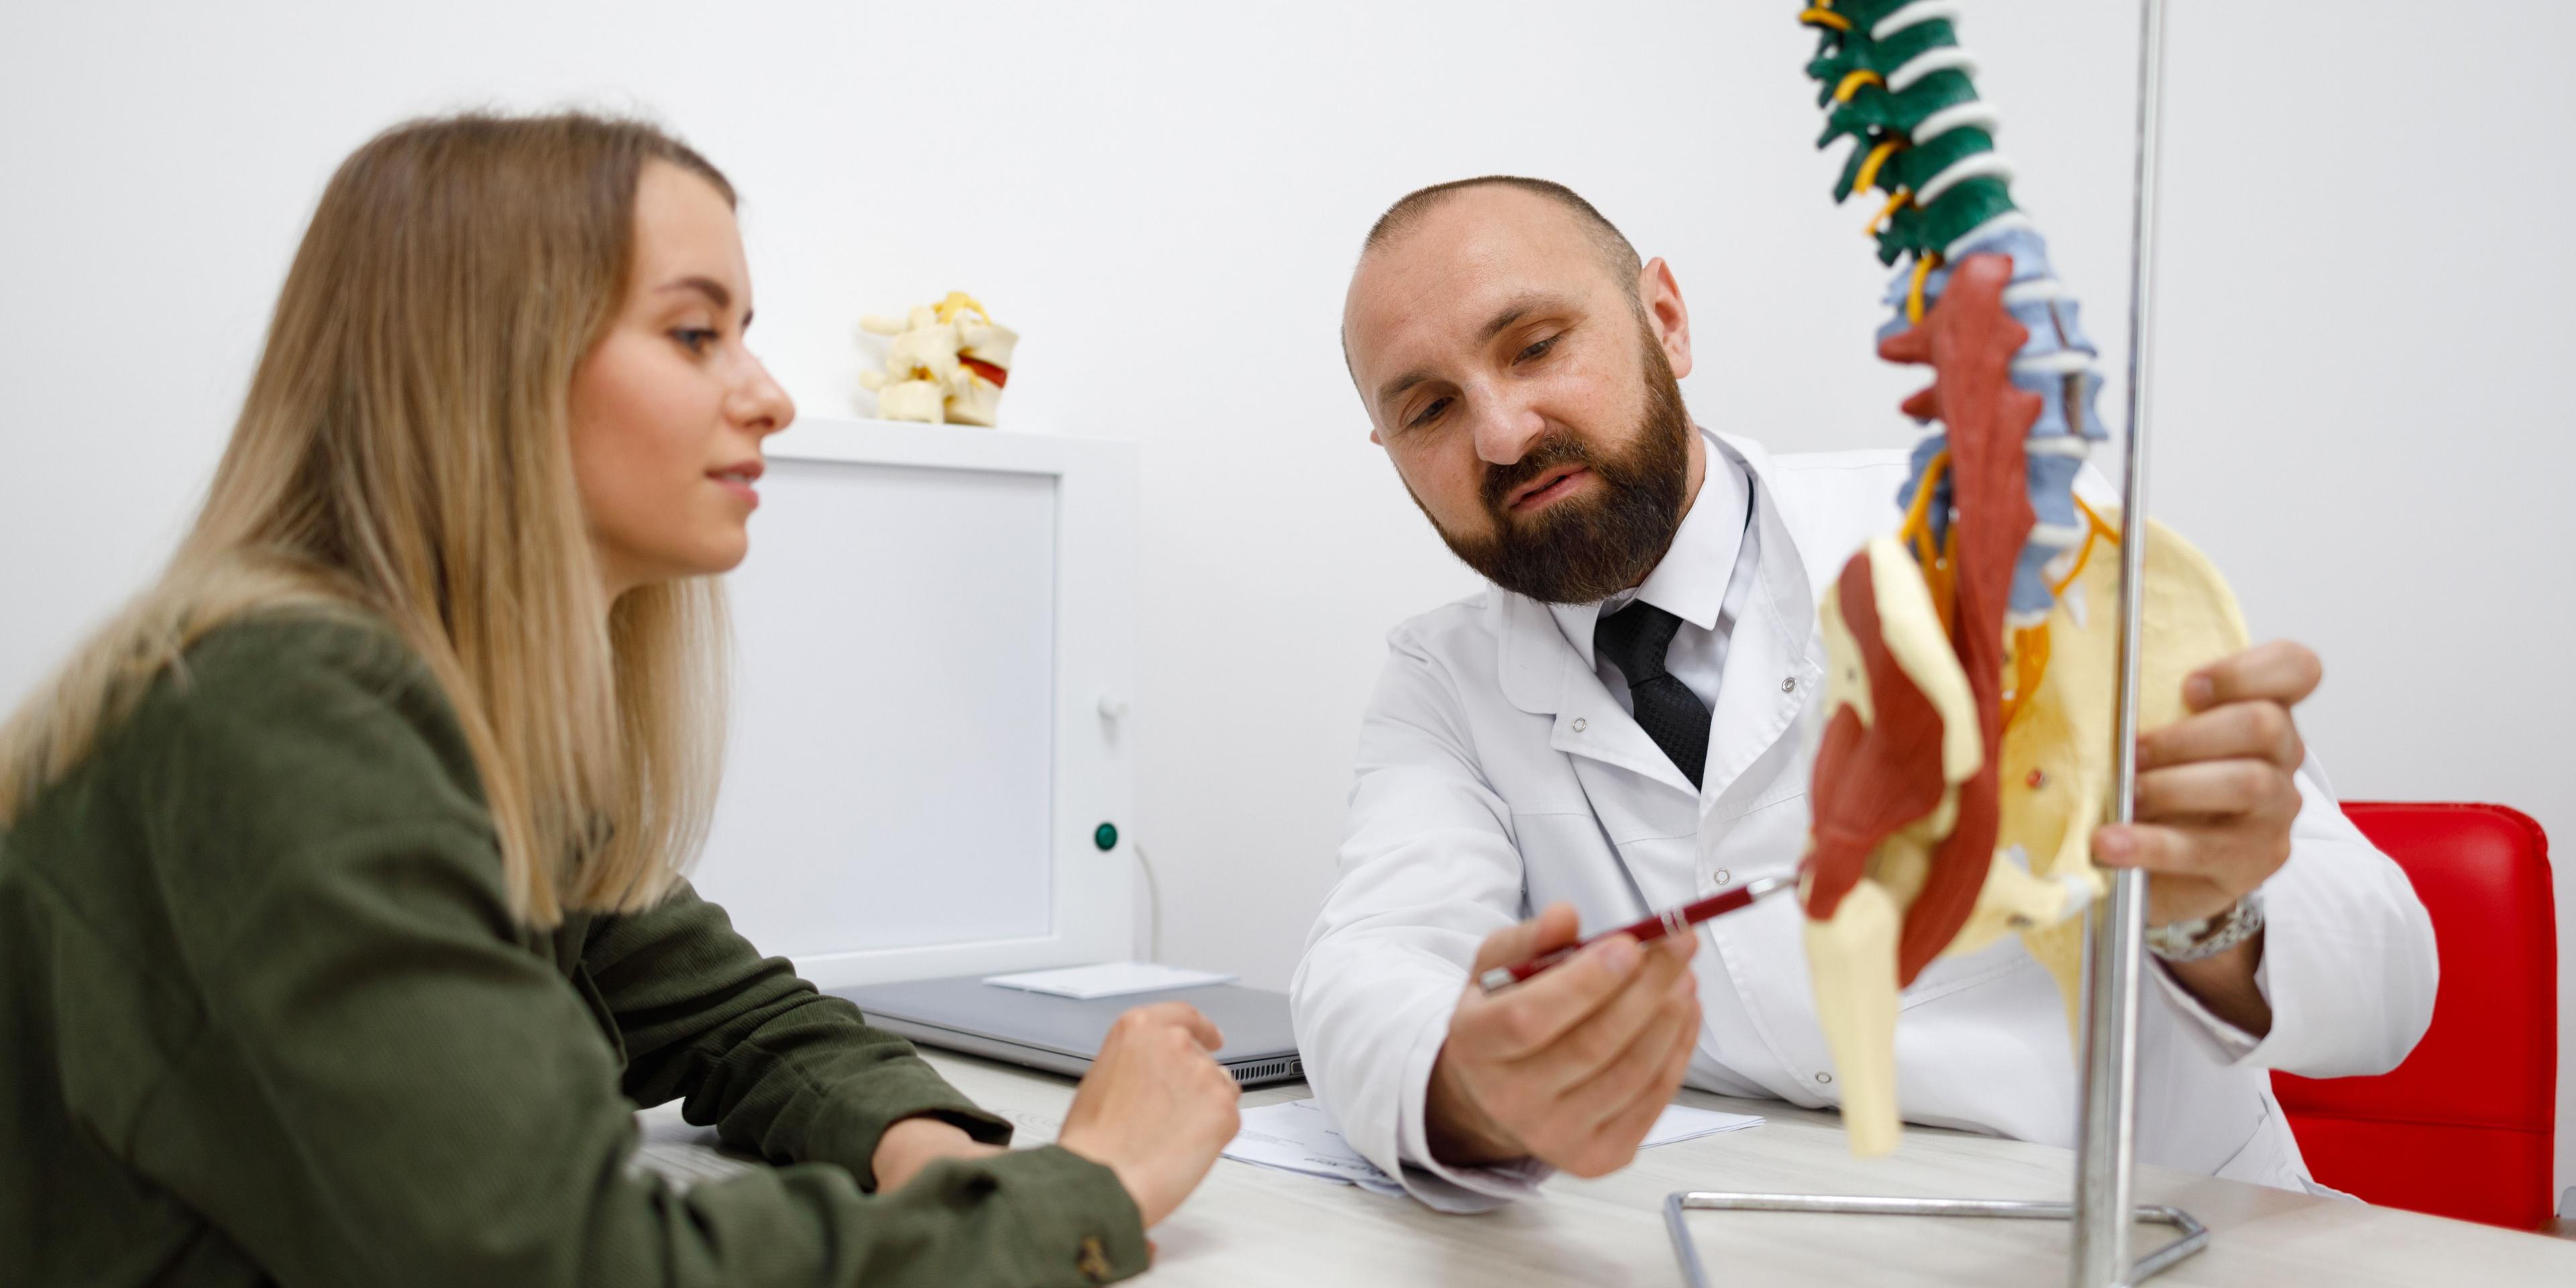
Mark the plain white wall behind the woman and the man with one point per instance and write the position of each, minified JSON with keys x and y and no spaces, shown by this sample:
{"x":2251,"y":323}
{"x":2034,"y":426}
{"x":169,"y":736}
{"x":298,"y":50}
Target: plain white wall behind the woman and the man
{"x":2366,"y":287}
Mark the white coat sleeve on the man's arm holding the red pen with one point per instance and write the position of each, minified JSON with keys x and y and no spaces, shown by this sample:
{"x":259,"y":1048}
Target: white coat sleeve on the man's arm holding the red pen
{"x":1426,"y":875}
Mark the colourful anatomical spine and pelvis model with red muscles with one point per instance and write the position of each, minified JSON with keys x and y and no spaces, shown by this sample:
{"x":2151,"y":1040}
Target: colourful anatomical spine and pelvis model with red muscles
{"x":1972,"y":658}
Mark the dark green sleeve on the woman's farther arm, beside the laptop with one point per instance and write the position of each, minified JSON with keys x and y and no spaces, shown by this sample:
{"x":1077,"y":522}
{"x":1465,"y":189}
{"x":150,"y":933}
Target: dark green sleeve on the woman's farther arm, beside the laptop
{"x":756,"y":1052}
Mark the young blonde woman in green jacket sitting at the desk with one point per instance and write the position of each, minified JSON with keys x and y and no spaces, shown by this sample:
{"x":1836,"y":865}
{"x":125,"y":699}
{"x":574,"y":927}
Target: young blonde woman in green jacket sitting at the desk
{"x":341,"y":923}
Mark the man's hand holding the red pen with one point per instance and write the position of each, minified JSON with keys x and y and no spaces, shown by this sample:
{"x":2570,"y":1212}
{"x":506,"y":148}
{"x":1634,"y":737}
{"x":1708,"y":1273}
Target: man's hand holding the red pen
{"x":1573,"y":1065}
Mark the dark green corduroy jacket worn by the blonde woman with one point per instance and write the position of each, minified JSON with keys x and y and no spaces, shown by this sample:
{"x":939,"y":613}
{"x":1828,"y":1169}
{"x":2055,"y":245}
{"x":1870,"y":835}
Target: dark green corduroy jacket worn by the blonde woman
{"x":267,"y":1019}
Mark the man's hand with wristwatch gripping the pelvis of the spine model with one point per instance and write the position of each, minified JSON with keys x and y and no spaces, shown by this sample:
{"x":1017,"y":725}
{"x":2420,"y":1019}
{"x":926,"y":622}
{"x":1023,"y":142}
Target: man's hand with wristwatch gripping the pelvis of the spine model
{"x":2214,"y":790}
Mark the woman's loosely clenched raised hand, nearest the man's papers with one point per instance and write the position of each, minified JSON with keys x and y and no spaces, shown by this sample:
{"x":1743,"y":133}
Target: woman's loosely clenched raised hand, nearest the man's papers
{"x":1155,"y":1109}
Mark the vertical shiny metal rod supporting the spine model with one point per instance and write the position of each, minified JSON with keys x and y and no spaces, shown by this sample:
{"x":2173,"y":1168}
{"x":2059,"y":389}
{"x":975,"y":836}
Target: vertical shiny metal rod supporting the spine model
{"x":2108,"y":1135}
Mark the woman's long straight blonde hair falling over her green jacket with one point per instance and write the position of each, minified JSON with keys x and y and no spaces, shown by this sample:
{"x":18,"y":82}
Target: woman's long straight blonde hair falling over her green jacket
{"x":406,"y":452}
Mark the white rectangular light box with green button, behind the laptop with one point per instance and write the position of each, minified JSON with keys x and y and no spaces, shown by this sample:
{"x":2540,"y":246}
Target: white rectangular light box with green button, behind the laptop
{"x":931,"y":671}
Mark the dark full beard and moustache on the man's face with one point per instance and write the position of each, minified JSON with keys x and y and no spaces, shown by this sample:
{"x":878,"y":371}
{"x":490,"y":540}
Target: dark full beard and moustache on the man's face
{"x":1591,"y":547}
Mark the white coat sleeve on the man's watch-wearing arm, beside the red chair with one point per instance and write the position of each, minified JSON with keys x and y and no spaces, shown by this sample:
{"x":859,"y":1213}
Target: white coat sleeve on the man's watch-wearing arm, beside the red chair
{"x":2348,"y":954}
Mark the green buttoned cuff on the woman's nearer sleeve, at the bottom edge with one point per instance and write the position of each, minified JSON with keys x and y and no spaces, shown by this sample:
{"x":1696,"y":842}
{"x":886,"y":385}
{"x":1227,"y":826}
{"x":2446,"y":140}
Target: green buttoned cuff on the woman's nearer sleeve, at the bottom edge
{"x":1078,"y":1217}
